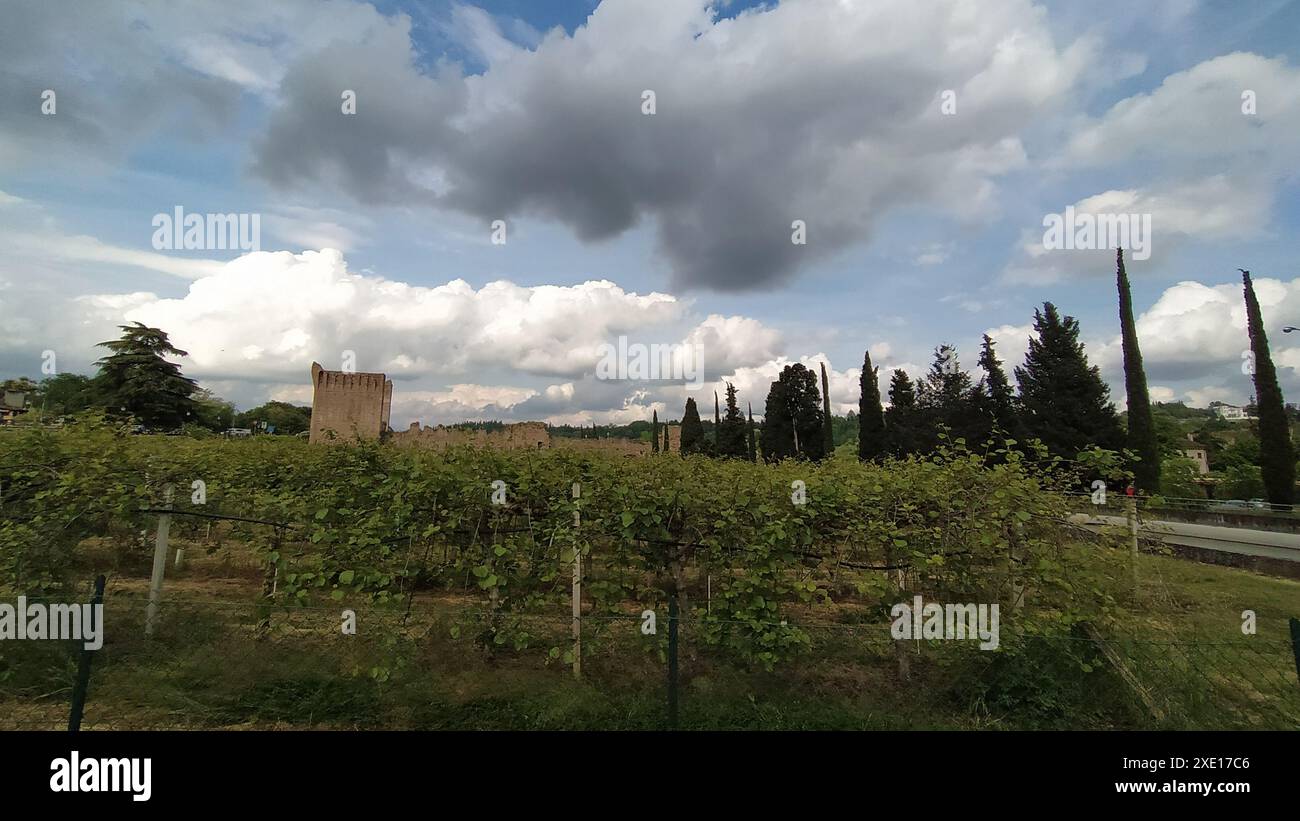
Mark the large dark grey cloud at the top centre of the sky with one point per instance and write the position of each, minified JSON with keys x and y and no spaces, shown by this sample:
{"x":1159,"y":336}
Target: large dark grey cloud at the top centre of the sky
{"x":800,"y":112}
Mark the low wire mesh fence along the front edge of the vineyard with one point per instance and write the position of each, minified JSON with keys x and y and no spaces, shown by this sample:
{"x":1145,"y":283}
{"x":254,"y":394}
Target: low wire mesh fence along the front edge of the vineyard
{"x":248,"y":664}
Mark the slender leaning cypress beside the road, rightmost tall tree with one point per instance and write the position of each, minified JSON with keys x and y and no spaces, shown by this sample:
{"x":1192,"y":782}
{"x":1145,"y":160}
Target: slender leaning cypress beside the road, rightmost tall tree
{"x":1277,"y":458}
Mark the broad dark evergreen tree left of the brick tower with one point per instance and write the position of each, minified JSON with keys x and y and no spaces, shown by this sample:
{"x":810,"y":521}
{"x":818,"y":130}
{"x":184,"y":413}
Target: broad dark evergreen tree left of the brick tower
{"x":136,"y":380}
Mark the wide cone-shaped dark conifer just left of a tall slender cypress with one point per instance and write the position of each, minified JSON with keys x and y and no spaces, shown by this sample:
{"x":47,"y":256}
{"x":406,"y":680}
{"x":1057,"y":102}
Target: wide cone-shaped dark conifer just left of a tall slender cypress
{"x":1065,"y":403}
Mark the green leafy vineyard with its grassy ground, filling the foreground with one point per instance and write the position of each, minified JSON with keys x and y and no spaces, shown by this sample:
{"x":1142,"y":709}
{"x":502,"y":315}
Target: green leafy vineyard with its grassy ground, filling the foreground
{"x":461,"y":568}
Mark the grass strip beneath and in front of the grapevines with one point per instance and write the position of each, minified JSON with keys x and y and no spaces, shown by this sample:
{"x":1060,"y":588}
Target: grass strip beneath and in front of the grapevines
{"x":211,"y":667}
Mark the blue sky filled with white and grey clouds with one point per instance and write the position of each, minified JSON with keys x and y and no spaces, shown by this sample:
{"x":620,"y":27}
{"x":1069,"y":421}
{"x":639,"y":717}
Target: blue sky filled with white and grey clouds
{"x":921,"y":145}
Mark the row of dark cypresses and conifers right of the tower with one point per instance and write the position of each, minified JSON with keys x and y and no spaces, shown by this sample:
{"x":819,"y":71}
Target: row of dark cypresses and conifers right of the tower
{"x":1059,"y":399}
